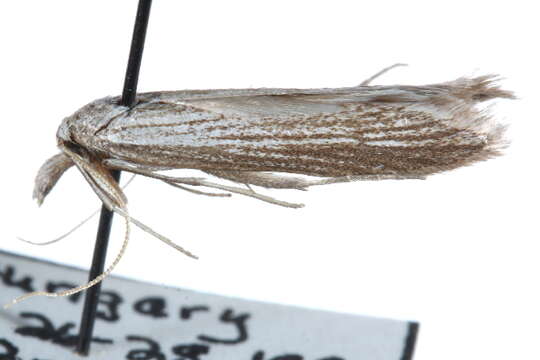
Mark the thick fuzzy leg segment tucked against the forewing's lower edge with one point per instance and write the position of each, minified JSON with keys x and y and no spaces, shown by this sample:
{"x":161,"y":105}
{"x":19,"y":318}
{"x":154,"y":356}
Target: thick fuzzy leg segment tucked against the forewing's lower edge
{"x":267,"y":180}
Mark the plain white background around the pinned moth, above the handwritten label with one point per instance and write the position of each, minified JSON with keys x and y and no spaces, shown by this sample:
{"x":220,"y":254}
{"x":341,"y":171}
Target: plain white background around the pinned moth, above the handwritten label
{"x":457,"y":252}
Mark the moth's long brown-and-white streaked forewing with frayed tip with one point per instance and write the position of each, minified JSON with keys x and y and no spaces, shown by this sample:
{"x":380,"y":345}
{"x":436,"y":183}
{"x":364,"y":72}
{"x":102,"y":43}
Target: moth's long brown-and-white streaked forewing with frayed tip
{"x":359,"y":131}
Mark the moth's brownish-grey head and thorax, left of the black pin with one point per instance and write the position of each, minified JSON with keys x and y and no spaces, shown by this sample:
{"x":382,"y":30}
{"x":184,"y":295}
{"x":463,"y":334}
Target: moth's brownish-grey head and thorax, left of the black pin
{"x":85,"y":123}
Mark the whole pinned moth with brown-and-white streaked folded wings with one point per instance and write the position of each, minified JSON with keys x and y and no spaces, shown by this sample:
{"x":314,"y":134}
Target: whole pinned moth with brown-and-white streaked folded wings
{"x":259,"y":136}
